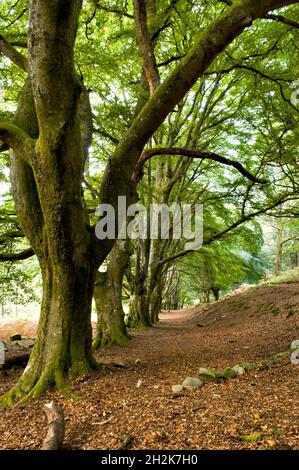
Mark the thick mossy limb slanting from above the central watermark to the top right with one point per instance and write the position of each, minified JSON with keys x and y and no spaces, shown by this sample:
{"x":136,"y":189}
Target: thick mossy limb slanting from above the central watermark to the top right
{"x":208,"y":46}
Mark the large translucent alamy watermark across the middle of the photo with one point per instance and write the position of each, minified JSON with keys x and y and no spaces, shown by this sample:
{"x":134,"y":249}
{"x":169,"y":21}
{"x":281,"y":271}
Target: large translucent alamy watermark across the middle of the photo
{"x":158,"y":221}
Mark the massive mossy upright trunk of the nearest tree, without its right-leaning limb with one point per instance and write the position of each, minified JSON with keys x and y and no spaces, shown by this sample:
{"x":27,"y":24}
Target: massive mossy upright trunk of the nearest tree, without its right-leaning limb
{"x":47,"y":165}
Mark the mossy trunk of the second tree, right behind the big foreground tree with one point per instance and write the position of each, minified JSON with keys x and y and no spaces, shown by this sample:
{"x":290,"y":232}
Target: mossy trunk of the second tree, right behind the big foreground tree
{"x":111,"y":328}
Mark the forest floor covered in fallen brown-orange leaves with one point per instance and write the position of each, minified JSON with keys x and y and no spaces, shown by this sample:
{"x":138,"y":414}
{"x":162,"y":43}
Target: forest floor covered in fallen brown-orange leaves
{"x":264,"y":404}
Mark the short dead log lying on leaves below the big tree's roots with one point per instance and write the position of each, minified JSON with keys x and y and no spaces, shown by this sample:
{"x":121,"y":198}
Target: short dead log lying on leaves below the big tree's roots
{"x":56,"y":426}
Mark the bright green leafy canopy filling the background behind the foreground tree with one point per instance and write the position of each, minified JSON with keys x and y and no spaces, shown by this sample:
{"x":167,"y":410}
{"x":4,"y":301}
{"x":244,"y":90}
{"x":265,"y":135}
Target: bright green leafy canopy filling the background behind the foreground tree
{"x":240,"y":109}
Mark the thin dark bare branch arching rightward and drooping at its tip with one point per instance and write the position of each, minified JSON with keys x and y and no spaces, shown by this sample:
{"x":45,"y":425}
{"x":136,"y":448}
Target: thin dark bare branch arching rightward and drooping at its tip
{"x":192,"y":154}
